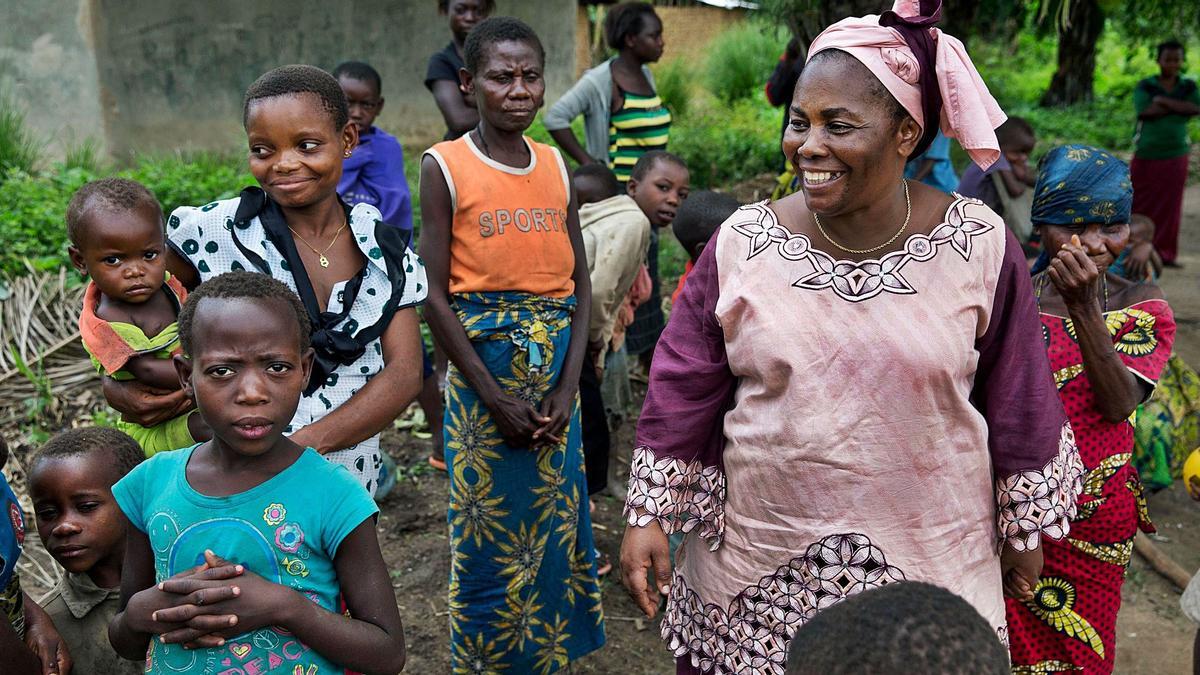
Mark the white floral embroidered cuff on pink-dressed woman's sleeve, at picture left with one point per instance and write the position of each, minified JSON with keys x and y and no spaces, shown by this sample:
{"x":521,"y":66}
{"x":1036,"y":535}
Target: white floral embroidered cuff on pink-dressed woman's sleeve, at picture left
{"x":681,"y":497}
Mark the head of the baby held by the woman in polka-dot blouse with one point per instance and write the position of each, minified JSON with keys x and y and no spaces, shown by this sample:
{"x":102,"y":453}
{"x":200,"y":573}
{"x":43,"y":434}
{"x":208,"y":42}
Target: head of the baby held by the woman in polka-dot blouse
{"x":117,"y":238}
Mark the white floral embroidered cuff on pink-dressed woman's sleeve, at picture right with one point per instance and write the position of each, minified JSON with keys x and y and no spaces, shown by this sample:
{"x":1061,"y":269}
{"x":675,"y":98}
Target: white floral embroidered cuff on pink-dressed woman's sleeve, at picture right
{"x":1041,"y":501}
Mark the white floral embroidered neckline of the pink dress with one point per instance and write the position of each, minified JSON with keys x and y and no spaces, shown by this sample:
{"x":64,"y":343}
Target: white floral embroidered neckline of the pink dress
{"x":859,"y":282}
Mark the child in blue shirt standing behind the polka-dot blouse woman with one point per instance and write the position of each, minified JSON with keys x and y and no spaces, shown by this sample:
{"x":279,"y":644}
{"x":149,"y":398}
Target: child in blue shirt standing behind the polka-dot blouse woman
{"x":375,"y":171}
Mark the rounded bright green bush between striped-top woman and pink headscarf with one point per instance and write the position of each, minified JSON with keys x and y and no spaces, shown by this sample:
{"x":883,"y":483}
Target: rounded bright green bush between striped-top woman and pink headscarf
{"x":741,"y":59}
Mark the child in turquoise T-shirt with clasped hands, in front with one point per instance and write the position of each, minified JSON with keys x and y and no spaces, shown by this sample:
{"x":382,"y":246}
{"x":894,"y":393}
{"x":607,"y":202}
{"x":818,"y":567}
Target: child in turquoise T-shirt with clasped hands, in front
{"x":277,"y":558}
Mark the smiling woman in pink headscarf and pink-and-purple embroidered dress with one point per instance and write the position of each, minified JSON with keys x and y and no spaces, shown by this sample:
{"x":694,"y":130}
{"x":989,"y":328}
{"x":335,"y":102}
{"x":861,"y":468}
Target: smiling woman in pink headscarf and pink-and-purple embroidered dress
{"x":853,"y":390}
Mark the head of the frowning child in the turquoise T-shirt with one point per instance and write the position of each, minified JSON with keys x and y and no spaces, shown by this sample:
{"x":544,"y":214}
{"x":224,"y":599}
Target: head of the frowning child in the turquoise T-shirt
{"x":247,"y":359}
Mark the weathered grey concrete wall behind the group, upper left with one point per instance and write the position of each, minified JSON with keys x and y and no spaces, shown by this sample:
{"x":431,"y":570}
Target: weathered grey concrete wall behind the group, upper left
{"x":149,"y":76}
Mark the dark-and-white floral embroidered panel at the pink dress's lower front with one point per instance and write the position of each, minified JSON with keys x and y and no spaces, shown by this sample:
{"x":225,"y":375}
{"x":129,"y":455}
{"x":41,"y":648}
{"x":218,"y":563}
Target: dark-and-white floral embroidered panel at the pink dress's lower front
{"x":752,"y":636}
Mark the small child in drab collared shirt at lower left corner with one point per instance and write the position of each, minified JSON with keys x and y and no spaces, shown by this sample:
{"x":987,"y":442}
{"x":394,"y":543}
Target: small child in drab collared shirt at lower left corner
{"x":71,"y":486}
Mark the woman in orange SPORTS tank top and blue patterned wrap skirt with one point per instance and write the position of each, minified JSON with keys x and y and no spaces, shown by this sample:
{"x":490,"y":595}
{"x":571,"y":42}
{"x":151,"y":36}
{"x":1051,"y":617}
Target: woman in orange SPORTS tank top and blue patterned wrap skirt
{"x":509,"y":302}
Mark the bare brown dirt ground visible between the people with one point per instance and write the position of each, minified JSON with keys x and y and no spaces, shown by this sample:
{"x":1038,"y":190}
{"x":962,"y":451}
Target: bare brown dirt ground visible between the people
{"x":1154,"y":636}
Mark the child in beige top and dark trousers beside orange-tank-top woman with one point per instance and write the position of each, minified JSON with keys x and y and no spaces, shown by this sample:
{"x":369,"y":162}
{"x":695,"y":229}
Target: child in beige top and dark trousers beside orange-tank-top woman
{"x":616,"y":237}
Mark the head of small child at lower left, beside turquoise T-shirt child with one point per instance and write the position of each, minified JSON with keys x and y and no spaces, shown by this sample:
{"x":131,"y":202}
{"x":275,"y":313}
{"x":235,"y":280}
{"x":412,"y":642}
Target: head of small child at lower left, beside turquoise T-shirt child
{"x":71,"y":485}
